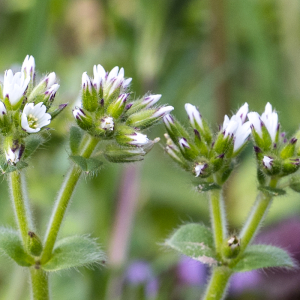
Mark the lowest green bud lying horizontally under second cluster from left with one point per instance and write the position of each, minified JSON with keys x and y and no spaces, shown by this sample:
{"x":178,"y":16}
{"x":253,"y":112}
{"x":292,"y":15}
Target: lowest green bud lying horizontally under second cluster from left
{"x":117,"y":154}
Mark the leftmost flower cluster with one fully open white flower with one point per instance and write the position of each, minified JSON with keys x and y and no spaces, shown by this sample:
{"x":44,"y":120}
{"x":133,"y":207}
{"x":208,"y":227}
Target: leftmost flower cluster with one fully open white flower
{"x":25,"y":108}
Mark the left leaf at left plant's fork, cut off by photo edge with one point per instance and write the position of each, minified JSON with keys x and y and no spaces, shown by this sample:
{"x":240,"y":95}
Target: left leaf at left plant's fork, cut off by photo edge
{"x":11,"y":245}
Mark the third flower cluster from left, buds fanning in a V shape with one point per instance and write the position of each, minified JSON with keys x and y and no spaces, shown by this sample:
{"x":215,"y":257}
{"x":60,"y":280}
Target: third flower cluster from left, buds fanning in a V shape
{"x":198,"y":152}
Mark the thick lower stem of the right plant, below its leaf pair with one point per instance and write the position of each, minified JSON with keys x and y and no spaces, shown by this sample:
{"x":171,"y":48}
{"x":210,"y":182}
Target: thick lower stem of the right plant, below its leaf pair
{"x":218,"y":284}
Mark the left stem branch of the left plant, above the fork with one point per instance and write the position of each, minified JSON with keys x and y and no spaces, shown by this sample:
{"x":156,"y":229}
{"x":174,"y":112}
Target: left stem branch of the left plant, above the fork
{"x":20,"y":206}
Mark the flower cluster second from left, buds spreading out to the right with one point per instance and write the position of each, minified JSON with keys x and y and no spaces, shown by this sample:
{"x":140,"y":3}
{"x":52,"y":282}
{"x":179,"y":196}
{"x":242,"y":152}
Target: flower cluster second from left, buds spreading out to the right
{"x":108,"y":112}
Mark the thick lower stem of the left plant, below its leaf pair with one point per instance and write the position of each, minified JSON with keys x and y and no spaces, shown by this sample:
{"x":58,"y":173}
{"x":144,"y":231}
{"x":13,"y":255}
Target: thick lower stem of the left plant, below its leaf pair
{"x":39,"y":284}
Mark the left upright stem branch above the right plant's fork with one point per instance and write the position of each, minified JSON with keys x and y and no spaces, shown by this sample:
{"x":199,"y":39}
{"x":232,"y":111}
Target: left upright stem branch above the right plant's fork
{"x":218,"y":218}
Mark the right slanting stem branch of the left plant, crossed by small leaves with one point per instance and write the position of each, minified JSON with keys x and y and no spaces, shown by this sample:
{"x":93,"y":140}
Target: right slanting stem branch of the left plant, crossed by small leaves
{"x":63,"y":200}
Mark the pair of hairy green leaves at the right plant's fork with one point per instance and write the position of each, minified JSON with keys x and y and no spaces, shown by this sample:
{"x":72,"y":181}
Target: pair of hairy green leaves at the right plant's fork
{"x":196,"y":241}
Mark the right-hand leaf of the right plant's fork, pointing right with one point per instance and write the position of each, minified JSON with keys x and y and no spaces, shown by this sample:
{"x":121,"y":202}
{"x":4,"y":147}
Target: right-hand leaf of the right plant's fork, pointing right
{"x":263,"y":256}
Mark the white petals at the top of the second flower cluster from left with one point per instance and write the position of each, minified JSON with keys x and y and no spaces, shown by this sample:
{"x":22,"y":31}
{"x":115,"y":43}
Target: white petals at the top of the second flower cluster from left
{"x":111,"y":81}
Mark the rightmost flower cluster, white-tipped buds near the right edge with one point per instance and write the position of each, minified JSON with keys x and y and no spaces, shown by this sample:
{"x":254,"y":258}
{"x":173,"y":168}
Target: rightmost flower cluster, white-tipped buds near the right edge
{"x":276,"y":156}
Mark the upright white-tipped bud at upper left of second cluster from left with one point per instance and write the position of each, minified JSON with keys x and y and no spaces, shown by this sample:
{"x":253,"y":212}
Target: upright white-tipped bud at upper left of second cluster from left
{"x":89,"y":94}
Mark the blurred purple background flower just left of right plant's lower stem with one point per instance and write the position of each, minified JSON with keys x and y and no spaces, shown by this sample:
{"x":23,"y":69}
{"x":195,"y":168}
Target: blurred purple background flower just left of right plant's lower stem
{"x":191,"y":272}
